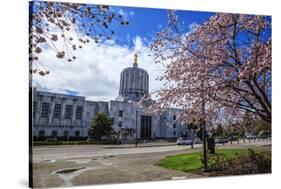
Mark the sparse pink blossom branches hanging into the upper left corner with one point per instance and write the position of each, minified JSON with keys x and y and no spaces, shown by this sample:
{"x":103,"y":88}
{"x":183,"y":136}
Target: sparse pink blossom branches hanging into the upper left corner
{"x":67,"y":27}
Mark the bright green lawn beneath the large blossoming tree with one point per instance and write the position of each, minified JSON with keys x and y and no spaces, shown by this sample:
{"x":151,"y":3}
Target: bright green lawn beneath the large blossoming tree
{"x":191,"y":161}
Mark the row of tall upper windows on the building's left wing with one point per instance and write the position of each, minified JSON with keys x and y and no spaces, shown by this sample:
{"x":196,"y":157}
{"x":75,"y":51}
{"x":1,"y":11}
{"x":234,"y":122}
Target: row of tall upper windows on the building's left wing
{"x":45,"y":111}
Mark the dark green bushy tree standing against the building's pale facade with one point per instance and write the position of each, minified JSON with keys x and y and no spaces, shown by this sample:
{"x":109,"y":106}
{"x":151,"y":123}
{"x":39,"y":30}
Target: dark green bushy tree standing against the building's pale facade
{"x":100,"y":126}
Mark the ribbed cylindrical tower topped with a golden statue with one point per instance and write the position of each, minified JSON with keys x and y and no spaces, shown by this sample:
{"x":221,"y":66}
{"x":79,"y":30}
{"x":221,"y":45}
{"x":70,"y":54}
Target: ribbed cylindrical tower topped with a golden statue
{"x":133,"y":82}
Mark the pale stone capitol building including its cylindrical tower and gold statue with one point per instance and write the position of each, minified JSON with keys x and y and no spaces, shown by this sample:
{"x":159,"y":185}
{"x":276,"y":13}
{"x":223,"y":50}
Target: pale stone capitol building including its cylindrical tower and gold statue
{"x":60,"y":115}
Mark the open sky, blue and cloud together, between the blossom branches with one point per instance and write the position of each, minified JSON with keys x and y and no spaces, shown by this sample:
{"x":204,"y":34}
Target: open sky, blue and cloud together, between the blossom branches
{"x":96,"y":72}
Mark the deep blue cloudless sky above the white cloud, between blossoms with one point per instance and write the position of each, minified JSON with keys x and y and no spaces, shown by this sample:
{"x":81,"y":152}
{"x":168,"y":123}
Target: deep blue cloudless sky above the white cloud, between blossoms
{"x":145,"y":22}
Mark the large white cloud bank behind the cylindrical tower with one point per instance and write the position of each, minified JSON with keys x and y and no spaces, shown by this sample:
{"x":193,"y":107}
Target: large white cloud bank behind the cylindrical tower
{"x":96,"y":72}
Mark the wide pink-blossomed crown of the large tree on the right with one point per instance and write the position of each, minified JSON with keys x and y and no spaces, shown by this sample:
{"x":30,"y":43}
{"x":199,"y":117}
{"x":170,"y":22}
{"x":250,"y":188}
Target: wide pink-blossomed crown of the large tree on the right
{"x":222,"y":67}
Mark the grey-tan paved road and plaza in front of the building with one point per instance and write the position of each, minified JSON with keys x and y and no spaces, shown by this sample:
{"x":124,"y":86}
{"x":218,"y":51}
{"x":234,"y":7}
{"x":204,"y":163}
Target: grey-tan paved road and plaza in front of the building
{"x":105,"y":164}
